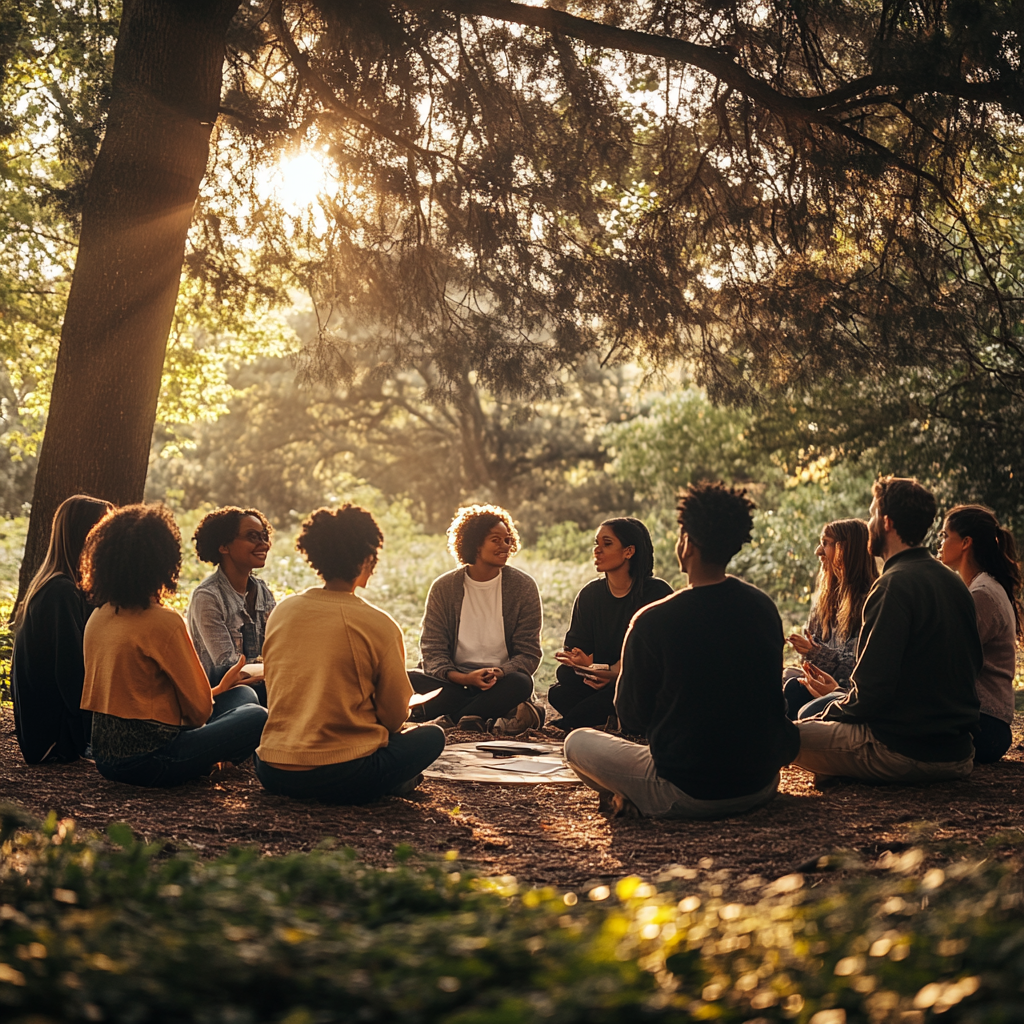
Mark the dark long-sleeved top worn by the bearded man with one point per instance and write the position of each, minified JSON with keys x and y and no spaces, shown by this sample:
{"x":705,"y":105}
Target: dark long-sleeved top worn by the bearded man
{"x":918,"y":658}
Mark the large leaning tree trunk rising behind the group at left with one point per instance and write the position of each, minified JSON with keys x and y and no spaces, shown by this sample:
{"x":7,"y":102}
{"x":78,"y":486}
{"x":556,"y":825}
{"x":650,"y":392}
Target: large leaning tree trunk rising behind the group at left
{"x":165,"y":95}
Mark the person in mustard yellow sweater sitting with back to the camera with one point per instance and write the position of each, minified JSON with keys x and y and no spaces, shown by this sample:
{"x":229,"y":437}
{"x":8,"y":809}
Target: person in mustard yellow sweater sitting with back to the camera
{"x":336,"y":682}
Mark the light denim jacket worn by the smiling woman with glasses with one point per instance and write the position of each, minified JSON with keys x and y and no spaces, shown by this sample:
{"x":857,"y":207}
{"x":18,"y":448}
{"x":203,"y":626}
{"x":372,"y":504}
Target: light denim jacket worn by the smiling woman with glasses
{"x":221,"y":626}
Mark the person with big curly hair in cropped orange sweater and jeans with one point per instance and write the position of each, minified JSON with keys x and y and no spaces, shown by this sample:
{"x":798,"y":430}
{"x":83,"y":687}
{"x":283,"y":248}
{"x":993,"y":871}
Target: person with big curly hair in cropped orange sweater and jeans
{"x":156,"y":721}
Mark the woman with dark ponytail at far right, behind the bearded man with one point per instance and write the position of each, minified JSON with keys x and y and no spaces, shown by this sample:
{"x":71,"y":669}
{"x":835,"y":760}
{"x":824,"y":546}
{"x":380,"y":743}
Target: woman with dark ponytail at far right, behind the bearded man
{"x":984,"y":552}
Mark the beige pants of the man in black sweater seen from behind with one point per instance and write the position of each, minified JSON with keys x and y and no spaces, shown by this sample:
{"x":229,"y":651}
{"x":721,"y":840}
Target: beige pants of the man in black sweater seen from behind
{"x":616,"y":765}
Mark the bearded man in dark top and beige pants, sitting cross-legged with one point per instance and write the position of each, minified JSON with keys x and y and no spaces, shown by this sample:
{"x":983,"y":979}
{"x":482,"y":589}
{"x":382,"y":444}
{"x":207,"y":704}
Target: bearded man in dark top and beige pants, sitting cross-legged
{"x":913,"y":706}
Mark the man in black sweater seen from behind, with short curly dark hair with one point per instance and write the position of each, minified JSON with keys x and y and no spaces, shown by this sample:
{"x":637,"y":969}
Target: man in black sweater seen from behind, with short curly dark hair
{"x":719,"y":635}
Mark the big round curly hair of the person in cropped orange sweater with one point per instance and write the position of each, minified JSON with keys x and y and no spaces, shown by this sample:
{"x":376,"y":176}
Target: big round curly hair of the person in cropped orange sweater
{"x":133,"y":556}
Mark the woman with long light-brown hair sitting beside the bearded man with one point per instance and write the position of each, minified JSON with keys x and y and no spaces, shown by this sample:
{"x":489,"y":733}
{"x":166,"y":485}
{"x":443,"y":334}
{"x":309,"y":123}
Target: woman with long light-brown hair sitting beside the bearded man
{"x":829,"y":646}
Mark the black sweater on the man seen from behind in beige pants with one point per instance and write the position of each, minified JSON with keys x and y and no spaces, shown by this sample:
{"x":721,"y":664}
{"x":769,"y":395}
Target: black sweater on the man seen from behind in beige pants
{"x":701,"y":679}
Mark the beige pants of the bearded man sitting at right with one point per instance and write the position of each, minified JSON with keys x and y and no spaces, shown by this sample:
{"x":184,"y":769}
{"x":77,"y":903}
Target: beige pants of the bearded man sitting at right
{"x":851,"y":751}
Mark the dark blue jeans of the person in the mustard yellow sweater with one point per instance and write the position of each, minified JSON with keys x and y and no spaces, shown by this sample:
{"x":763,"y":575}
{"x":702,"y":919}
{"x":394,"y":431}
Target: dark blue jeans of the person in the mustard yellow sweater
{"x":364,"y":780}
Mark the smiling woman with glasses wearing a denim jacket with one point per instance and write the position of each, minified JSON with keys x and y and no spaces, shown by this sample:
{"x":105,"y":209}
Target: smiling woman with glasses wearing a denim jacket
{"x":228,"y":611}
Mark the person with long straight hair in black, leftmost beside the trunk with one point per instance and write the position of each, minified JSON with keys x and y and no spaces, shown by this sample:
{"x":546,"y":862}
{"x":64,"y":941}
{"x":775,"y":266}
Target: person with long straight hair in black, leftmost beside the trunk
{"x":48,"y":670}
